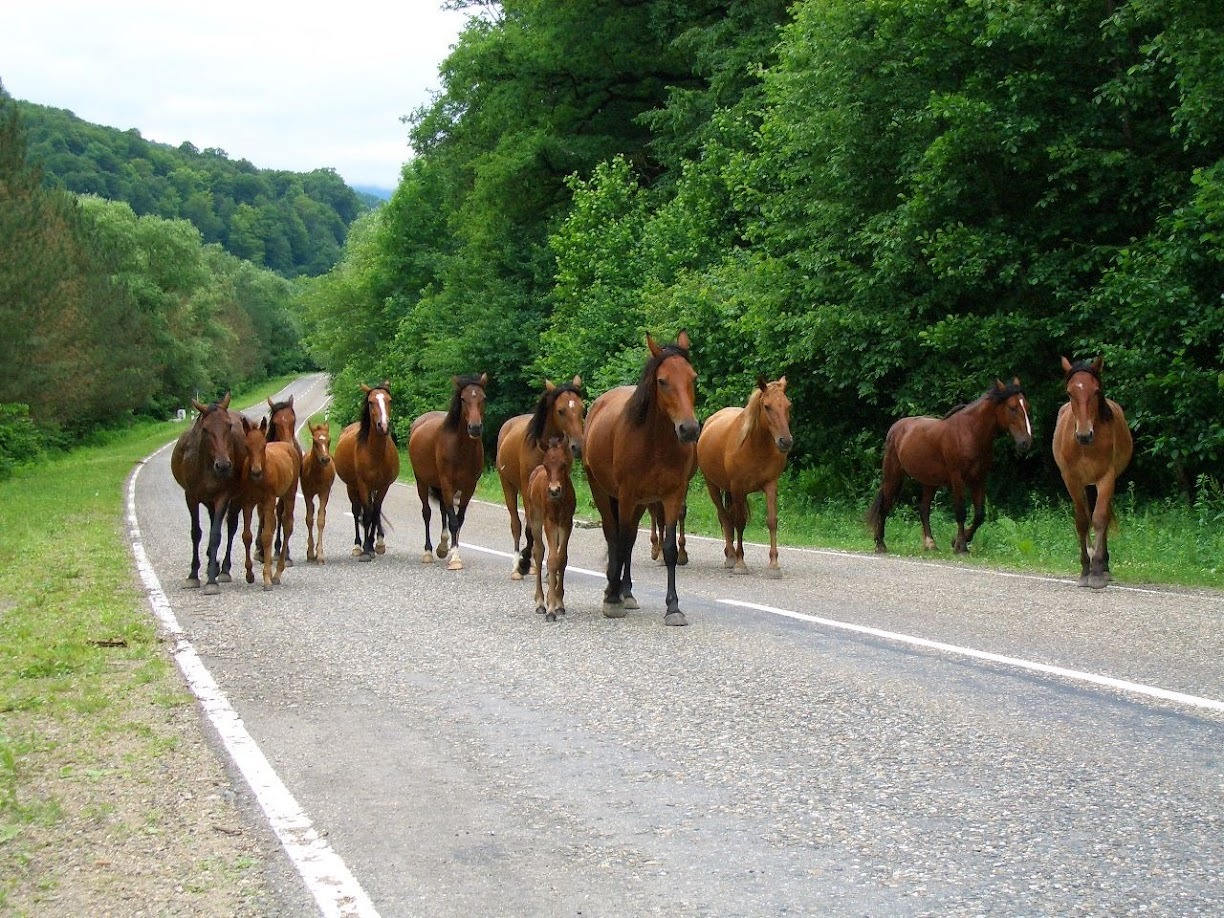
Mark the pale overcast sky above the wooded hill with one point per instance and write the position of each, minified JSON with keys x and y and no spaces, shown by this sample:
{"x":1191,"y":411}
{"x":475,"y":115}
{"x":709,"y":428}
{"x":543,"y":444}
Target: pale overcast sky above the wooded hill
{"x":286,"y":86}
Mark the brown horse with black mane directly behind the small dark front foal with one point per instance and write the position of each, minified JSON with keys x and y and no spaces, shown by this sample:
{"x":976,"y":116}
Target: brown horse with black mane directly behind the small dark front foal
{"x":521,"y":447}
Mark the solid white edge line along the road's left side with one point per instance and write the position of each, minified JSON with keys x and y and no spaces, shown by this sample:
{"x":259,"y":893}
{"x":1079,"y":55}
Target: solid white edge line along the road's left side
{"x":336,"y":890}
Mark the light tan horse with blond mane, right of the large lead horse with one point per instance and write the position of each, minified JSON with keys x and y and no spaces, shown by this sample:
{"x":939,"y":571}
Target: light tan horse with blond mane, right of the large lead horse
{"x":742,"y":451}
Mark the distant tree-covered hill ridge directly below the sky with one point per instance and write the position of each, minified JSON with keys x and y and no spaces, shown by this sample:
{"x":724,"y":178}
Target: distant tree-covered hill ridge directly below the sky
{"x":292,"y":223}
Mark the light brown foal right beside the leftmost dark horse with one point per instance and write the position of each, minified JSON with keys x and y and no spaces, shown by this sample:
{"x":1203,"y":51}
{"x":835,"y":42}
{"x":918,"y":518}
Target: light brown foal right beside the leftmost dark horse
{"x":270,"y":485}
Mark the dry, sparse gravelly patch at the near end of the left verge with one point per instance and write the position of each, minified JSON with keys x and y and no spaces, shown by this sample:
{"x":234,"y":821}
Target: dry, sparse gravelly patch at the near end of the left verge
{"x":139,"y":819}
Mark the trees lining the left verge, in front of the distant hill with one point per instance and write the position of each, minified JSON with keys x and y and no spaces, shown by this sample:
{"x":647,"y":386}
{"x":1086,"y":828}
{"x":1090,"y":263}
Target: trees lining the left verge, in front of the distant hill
{"x":110,"y":315}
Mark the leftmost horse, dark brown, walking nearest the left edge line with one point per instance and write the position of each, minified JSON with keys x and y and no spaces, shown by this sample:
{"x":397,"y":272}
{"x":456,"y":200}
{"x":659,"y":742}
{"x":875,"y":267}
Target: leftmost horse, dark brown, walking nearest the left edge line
{"x":207,"y":463}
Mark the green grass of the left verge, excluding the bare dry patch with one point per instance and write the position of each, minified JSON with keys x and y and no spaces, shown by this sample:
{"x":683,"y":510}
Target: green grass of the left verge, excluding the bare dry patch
{"x":78,"y":640}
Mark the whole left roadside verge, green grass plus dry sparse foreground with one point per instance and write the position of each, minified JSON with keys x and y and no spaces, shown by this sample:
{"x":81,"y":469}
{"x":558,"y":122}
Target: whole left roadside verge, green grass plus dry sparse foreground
{"x":92,"y":712}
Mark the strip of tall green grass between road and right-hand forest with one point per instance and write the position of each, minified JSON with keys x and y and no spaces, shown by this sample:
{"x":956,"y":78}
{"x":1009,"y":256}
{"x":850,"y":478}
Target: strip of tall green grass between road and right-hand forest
{"x":1154,"y":544}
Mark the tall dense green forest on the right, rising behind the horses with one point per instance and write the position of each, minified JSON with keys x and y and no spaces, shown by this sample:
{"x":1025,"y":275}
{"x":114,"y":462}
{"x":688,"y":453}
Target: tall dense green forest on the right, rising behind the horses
{"x":892,"y":203}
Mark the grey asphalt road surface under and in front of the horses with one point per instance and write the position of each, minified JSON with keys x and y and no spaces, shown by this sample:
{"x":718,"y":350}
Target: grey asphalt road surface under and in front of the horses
{"x":466,"y":758}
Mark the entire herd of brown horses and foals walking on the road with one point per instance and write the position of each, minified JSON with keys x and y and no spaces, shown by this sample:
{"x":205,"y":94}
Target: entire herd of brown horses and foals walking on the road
{"x":640,"y":446}
